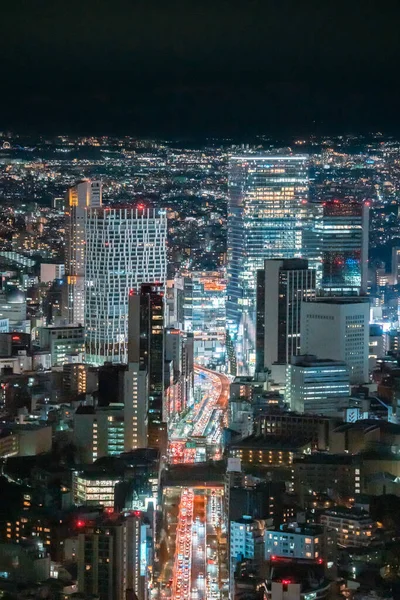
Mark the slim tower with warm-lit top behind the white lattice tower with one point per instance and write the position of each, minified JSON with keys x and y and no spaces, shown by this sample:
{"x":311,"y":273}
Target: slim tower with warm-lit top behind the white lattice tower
{"x":79,"y":198}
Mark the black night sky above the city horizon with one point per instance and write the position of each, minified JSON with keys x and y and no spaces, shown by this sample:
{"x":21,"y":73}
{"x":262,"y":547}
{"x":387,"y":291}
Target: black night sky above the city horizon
{"x":194,"y":67}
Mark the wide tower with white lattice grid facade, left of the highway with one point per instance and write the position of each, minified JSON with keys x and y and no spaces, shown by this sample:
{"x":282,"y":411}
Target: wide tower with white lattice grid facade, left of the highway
{"x":125,"y":247}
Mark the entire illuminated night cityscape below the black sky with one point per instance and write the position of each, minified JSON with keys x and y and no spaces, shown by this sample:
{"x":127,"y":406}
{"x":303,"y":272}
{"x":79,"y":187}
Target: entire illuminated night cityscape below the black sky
{"x":140,"y":462}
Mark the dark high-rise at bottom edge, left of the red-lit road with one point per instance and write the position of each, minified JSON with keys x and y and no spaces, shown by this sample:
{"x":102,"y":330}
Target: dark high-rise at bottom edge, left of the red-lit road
{"x":113,"y":557}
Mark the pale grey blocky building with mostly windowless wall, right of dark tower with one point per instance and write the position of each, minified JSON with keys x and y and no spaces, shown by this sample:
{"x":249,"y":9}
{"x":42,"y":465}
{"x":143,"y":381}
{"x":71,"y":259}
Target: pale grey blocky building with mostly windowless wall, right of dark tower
{"x":338,"y":329}
